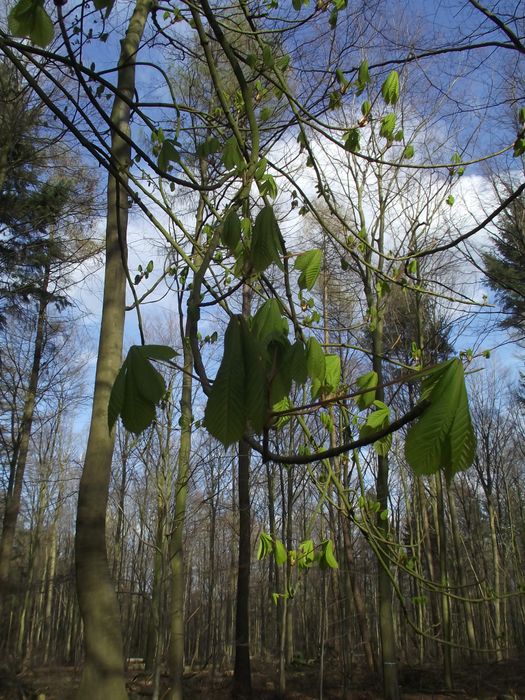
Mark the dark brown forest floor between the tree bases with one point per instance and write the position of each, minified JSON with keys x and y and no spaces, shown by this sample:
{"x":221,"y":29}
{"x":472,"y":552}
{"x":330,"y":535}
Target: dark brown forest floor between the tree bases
{"x":488,"y":681}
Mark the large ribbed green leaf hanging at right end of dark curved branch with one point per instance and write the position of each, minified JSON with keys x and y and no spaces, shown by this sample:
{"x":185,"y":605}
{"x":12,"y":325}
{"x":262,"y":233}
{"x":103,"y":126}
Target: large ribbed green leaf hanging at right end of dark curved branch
{"x":443,"y":438}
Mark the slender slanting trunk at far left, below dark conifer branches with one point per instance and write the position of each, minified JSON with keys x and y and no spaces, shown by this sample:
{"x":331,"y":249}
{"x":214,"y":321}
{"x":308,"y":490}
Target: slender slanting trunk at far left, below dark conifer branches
{"x":19,"y":458}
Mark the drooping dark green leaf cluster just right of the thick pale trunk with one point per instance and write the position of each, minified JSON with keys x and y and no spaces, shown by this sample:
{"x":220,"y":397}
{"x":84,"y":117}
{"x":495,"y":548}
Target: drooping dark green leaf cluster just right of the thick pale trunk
{"x":138,"y":387}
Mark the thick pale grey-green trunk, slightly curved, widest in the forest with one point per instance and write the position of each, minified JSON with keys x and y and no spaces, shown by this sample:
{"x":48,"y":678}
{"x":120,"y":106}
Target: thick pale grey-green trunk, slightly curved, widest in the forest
{"x":103,"y":675}
